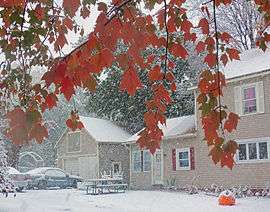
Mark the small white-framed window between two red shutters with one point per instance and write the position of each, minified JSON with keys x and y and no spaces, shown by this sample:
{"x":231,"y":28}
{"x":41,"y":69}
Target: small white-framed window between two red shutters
{"x":183,"y":159}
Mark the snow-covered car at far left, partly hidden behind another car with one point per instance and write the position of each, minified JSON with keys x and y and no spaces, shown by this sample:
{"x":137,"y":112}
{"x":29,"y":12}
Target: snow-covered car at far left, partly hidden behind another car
{"x":18,"y":179}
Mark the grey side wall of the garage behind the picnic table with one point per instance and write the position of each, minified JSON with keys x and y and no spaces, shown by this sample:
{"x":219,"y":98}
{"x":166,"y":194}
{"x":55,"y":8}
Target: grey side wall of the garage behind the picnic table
{"x":109,"y":153}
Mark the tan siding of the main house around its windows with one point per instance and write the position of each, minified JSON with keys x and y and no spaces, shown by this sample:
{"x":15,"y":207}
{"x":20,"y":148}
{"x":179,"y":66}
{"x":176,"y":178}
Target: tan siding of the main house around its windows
{"x":206,"y":172}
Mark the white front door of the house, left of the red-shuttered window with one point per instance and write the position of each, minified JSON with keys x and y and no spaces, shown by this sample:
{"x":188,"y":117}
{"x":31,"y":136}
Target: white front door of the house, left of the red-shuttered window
{"x":157,"y":170}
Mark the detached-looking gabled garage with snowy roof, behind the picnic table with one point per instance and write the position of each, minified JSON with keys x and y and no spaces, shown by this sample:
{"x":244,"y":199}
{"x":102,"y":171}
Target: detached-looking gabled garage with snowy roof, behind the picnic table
{"x":95,"y":150}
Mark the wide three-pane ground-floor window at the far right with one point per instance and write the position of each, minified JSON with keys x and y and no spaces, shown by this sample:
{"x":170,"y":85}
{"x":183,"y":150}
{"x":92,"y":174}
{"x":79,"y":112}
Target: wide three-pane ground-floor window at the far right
{"x":250,"y":151}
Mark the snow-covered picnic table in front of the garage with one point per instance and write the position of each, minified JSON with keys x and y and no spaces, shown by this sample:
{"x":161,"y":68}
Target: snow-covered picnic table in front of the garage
{"x":102,"y":186}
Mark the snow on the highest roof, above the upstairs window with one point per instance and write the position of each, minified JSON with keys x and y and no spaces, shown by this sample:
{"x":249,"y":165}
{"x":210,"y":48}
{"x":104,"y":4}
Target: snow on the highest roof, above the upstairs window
{"x":251,"y":61}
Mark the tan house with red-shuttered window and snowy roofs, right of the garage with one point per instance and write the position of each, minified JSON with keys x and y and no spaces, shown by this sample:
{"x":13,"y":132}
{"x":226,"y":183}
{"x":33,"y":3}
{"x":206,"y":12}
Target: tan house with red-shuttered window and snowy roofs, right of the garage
{"x":183,"y":155}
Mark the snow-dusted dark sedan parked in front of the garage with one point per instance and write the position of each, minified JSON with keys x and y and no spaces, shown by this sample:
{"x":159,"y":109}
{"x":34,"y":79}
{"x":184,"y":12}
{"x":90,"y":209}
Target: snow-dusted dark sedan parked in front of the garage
{"x":46,"y":177}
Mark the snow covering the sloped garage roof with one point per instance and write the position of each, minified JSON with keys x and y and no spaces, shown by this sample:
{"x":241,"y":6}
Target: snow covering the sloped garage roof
{"x":103,"y":130}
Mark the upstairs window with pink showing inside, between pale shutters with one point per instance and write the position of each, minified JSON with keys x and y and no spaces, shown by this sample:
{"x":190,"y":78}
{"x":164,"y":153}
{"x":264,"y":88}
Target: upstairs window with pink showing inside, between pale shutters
{"x":249,"y":100}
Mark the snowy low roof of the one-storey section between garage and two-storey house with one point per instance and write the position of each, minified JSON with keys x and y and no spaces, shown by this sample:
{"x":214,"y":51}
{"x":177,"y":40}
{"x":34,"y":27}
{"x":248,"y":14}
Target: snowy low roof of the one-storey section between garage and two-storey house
{"x":174,"y":127}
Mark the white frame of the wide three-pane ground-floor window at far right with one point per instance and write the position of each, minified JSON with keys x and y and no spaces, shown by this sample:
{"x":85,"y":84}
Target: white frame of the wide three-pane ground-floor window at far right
{"x":257,"y":141}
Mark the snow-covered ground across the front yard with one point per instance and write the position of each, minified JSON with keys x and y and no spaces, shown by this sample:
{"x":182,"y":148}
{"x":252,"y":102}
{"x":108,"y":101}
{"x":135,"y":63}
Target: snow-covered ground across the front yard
{"x":131,"y":201}
